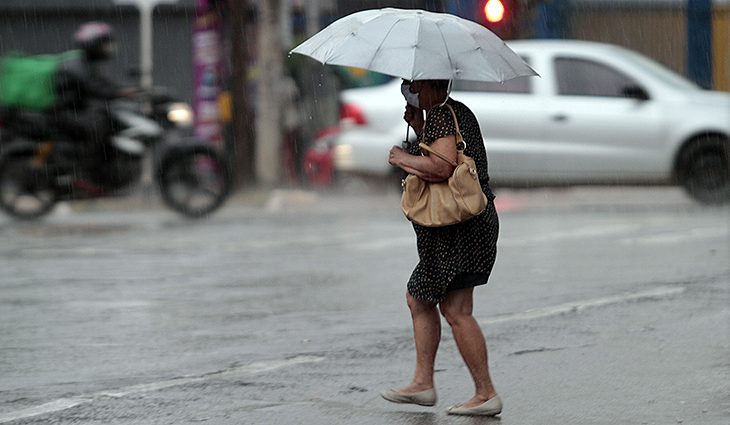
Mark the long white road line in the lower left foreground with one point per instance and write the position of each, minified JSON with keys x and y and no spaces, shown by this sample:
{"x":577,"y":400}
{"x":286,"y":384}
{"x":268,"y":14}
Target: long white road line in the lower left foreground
{"x":67,"y":403}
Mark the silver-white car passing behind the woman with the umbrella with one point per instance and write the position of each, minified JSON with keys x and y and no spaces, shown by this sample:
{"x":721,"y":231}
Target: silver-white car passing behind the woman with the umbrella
{"x":599,"y":114}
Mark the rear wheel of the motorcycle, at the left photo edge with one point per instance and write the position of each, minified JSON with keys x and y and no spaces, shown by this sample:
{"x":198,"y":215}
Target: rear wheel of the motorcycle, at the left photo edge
{"x":26,"y":189}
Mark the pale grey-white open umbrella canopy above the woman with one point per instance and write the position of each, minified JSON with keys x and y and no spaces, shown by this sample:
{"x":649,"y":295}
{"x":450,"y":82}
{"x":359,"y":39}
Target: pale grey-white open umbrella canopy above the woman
{"x":415,"y":45}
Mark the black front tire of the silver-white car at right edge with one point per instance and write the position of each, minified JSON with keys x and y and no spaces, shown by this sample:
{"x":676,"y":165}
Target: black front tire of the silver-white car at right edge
{"x":704,"y":170}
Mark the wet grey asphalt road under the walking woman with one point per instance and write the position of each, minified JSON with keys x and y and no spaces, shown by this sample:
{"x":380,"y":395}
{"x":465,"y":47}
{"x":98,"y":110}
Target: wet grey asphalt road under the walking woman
{"x":606,"y":306}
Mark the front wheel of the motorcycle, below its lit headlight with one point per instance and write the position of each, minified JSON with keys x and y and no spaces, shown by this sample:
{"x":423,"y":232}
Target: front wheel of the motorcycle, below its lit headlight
{"x":194,"y":182}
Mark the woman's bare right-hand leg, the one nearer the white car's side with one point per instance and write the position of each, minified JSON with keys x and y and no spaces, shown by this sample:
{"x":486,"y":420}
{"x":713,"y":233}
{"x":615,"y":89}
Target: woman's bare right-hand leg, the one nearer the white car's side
{"x":457,"y":309}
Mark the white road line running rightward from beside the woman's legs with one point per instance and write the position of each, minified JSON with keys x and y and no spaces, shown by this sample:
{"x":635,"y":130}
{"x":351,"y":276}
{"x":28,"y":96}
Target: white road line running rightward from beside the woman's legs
{"x":578,"y":306}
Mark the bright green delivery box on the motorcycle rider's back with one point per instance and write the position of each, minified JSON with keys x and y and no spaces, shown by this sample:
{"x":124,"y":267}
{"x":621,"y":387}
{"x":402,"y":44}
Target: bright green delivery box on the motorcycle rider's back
{"x":26,"y":81}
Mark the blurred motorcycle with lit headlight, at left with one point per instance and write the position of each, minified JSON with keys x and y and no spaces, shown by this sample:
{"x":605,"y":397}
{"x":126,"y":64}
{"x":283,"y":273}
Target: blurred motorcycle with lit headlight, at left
{"x":40,"y":167}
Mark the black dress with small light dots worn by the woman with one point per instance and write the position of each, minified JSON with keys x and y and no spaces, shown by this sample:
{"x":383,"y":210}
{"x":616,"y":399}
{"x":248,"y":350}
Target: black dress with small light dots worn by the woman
{"x":461,"y":255}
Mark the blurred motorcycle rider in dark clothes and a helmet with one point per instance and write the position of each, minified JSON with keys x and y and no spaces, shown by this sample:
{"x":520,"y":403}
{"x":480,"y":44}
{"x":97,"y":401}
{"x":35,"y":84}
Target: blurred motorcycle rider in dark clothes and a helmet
{"x":83,"y":92}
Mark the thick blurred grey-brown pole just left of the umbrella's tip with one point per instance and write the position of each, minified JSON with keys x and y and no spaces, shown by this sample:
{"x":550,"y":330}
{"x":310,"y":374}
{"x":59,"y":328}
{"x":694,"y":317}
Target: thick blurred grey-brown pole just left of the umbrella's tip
{"x":268,"y":114}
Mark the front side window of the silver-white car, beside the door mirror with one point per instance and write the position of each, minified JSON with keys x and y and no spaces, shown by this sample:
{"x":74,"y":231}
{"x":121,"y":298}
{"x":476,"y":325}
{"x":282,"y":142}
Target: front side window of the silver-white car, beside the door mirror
{"x":580,"y":77}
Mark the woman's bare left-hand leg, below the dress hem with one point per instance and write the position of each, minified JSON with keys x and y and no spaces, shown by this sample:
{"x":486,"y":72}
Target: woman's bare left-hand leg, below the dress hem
{"x":427,"y":335}
